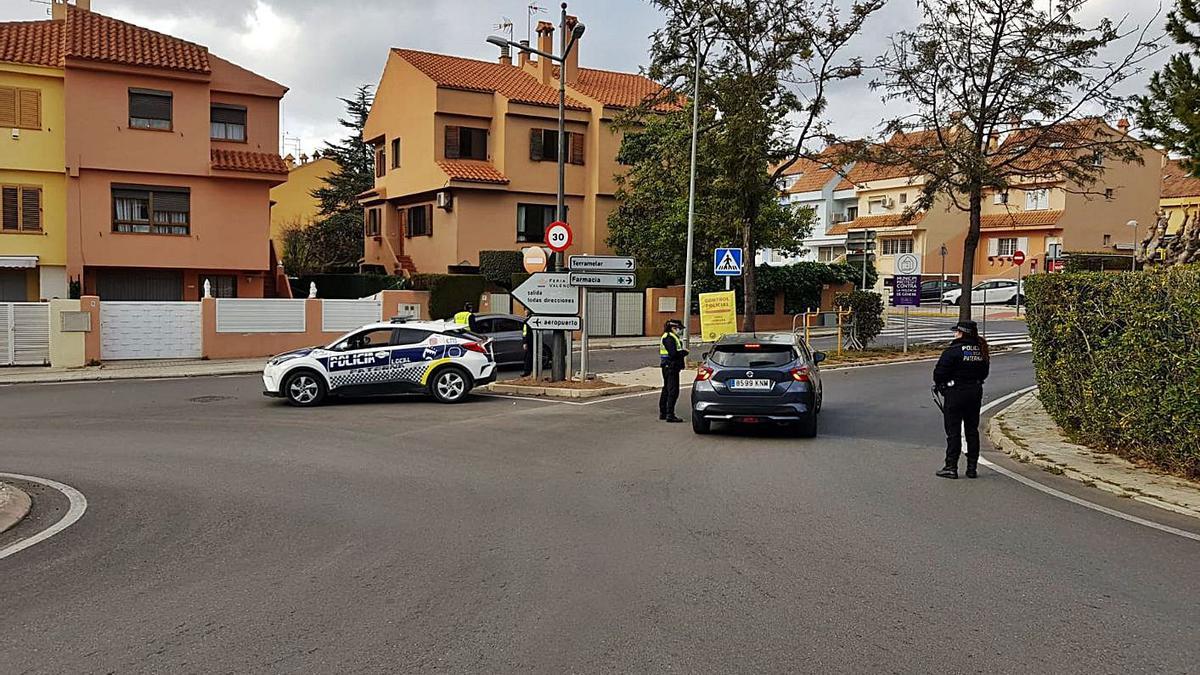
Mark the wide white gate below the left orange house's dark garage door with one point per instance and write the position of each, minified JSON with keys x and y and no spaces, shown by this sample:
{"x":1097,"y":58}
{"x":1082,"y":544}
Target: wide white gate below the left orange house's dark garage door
{"x":149,"y":331}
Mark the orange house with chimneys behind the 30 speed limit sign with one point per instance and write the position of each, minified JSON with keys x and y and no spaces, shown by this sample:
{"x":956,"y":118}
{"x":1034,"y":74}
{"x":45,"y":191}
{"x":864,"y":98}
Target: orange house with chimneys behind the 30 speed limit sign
{"x":466,"y":156}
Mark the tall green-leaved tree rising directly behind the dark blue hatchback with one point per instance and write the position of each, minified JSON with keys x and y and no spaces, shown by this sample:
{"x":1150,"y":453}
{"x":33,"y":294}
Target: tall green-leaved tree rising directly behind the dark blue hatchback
{"x":764,"y":97}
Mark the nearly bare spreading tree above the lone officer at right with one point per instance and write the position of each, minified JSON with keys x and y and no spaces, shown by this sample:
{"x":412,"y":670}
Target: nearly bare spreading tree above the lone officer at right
{"x":975,"y":70}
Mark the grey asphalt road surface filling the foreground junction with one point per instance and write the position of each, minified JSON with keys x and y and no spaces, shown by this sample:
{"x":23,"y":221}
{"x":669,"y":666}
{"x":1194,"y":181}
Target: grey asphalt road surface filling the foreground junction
{"x":230,"y":534}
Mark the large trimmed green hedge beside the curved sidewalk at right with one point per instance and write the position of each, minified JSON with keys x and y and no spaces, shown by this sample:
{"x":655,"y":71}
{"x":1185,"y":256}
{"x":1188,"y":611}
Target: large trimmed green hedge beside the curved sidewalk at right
{"x":1118,"y":361}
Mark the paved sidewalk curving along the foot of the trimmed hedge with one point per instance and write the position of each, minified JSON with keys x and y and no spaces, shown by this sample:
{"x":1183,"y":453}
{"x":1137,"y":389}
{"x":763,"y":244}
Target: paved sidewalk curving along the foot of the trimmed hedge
{"x":1027,"y":432}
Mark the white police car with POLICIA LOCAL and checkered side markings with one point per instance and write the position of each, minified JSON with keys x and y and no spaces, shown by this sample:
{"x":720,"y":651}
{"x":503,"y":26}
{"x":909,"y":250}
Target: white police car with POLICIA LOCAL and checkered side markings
{"x":440,"y":359}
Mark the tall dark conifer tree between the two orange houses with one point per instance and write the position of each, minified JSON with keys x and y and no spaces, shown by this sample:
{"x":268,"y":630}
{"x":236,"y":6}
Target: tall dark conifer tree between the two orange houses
{"x":335,"y":240}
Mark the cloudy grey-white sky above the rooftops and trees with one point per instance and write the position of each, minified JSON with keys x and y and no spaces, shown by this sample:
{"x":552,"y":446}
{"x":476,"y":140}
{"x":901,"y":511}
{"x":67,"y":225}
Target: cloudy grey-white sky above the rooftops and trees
{"x":325,"y":49}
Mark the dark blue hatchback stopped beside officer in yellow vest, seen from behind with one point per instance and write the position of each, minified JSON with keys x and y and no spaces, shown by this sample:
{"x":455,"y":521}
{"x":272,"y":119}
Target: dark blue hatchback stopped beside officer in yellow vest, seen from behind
{"x":759,"y":380}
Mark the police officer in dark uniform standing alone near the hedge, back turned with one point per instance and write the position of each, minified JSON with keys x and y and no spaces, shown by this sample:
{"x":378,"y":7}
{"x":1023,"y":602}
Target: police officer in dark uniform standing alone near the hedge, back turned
{"x":959,"y":377}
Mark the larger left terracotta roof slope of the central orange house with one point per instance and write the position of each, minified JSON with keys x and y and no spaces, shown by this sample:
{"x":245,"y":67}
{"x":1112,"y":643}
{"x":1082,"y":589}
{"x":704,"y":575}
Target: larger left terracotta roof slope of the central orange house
{"x":472,"y":75}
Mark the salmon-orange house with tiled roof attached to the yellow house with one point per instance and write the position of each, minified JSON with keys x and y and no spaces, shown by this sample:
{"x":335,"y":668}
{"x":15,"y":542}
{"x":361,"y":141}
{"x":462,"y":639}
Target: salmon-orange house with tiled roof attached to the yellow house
{"x":171,"y":156}
